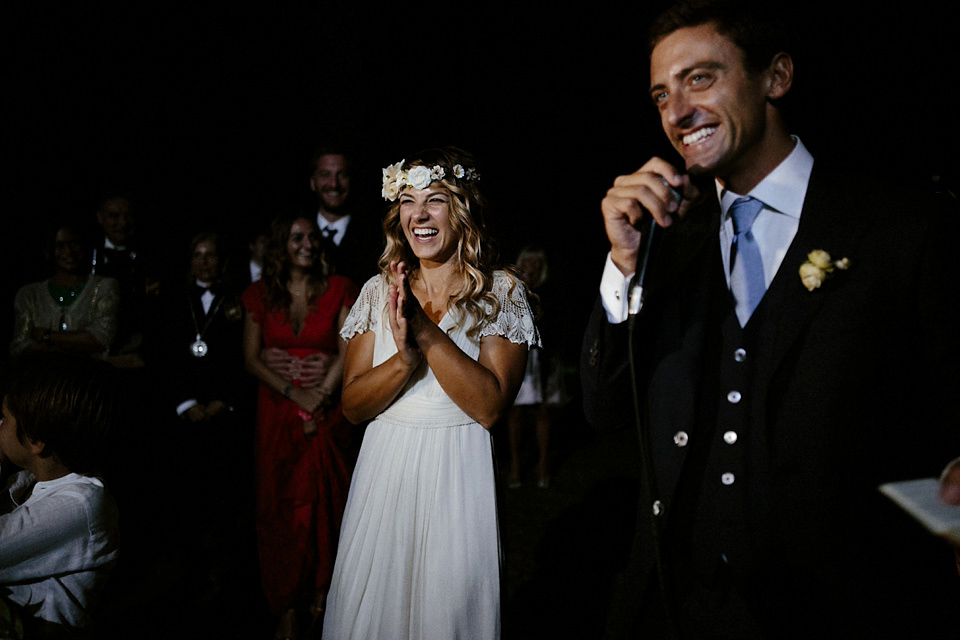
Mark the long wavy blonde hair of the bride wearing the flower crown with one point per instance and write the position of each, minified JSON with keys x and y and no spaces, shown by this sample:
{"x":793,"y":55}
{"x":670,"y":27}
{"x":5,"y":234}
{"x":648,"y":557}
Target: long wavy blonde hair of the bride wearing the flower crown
{"x":476,"y":254}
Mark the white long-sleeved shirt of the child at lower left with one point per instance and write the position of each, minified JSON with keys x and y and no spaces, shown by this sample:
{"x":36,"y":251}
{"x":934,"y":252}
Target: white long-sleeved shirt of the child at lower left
{"x":58,"y":545}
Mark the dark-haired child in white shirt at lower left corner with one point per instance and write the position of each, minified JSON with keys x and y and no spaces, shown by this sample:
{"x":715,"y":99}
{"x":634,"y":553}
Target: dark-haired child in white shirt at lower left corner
{"x":58,"y":526}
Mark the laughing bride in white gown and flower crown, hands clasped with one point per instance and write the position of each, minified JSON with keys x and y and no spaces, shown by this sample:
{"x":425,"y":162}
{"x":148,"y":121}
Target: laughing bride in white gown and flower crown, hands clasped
{"x":437,"y":349}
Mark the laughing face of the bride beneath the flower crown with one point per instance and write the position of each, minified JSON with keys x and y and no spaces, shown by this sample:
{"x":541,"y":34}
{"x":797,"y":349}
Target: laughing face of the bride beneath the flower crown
{"x":425,"y":220}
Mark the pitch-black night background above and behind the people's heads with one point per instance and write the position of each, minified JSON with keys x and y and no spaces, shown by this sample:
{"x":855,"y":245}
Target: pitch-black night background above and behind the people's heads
{"x":207,"y":109}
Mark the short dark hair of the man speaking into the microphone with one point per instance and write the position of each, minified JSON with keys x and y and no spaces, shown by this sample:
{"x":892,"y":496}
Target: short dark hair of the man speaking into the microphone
{"x":757,"y":28}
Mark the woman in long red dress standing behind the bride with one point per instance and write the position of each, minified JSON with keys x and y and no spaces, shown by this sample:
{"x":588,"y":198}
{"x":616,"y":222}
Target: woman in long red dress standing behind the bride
{"x":303,"y":453}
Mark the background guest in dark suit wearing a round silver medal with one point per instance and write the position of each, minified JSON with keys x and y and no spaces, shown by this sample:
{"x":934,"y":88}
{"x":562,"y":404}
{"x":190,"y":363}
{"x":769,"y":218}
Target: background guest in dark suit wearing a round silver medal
{"x":210,"y":405}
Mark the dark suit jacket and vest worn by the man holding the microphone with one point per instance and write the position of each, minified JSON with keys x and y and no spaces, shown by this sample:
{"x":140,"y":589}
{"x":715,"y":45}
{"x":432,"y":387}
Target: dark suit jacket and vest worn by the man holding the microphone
{"x":847,"y":386}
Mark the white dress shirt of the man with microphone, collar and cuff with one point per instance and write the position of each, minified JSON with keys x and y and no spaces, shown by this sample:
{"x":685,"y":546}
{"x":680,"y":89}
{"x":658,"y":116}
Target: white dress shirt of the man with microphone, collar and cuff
{"x":782,"y":192}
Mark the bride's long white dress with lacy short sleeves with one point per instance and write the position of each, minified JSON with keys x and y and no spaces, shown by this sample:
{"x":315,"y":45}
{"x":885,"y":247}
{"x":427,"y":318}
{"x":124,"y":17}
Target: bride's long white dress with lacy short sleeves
{"x":419,"y":552}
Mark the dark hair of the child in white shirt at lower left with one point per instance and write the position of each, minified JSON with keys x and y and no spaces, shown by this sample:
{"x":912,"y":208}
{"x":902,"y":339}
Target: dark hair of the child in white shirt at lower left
{"x":68,"y":403}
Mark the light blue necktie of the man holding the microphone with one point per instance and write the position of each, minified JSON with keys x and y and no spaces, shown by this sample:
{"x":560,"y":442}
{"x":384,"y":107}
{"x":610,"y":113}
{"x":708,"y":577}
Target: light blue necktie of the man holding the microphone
{"x":748,"y":285}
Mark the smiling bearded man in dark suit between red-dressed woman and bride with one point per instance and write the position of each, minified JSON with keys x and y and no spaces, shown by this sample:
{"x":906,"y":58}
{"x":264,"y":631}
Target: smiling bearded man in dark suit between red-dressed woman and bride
{"x":352,"y":239}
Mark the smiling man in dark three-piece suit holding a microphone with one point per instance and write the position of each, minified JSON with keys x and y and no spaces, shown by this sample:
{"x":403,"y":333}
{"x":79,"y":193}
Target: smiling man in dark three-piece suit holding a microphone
{"x":796,"y":348}
